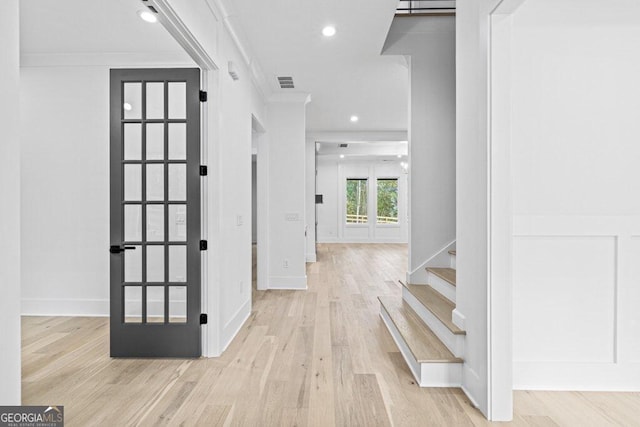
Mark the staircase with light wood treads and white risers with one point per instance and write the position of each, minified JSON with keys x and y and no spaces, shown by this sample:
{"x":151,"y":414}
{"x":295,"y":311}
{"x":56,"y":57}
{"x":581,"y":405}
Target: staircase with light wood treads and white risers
{"x":422,"y":327}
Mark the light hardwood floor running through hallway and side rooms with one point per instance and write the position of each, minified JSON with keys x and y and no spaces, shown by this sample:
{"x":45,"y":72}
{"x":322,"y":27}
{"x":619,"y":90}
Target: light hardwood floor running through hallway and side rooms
{"x":315,"y":358}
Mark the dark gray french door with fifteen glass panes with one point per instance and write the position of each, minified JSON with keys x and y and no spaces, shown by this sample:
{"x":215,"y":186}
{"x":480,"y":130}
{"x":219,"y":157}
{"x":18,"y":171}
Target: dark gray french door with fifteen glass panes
{"x":155,"y":213}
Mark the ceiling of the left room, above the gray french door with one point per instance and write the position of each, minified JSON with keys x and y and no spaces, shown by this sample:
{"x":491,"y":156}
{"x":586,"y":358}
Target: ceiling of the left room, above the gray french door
{"x":89,"y":27}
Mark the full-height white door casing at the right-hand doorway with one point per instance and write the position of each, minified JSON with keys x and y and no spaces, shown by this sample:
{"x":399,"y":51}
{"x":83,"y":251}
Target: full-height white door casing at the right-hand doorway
{"x":499,"y":292}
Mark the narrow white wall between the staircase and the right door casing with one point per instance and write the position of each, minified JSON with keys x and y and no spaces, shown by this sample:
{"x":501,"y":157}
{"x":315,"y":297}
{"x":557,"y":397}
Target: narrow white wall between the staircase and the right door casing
{"x":472,"y":205}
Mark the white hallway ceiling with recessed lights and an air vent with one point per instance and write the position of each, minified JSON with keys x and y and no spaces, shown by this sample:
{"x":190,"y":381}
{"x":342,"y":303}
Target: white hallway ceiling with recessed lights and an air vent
{"x":345,"y":74}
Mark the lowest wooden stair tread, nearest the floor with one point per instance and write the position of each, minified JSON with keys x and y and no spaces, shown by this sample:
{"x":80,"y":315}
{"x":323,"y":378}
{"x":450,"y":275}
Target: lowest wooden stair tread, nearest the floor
{"x":423,"y":343}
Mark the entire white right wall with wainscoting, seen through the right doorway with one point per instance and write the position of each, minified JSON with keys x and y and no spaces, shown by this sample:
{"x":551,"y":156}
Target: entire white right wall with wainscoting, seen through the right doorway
{"x":575,"y":100}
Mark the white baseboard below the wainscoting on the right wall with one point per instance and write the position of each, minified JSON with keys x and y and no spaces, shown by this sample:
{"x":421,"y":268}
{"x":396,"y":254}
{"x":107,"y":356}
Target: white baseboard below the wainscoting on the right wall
{"x":576,"y":376}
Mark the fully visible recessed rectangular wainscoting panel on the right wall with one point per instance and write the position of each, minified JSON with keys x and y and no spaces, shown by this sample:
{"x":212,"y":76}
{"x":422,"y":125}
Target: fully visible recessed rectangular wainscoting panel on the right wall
{"x":563,"y":298}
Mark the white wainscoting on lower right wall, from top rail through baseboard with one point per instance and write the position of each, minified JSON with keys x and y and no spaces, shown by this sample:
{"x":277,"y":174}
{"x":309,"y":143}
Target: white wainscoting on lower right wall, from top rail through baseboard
{"x":576,"y":302}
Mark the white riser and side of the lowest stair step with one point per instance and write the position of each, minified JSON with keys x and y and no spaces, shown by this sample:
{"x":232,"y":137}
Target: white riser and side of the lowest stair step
{"x":426,"y":374}
